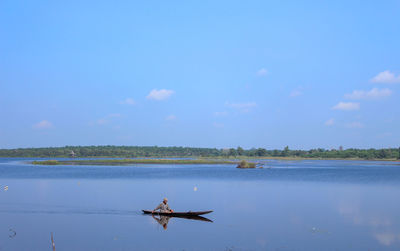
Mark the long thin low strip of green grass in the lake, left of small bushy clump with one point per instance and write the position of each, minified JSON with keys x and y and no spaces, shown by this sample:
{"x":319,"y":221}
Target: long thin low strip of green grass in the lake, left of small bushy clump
{"x":132,"y":161}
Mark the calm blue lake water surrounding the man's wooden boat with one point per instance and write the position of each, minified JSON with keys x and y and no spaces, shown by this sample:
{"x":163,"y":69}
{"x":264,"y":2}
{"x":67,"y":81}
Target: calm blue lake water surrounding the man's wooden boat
{"x":290,"y":205}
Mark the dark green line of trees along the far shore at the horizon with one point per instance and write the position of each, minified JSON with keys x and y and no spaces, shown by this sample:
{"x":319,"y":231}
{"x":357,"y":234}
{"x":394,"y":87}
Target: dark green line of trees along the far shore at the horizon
{"x":154,"y":151}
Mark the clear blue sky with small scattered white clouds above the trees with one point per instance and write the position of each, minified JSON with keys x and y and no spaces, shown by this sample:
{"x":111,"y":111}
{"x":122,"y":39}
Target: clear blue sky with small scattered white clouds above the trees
{"x":305,"y":74}
